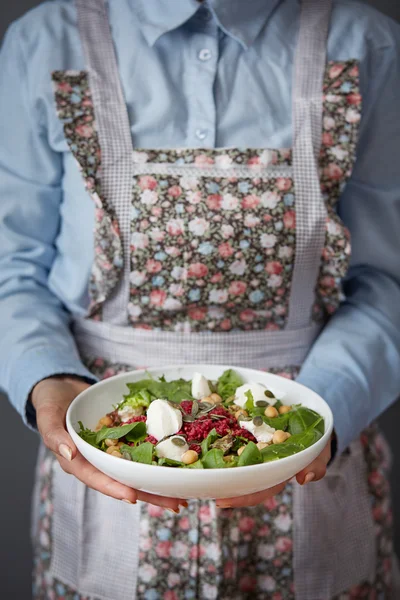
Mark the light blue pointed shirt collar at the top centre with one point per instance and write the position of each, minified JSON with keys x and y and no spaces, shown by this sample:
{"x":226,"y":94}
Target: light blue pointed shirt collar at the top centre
{"x":241,"y":19}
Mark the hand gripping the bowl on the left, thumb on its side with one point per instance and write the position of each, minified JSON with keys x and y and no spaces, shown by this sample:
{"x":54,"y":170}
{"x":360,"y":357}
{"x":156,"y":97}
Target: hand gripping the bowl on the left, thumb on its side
{"x":51,"y":398}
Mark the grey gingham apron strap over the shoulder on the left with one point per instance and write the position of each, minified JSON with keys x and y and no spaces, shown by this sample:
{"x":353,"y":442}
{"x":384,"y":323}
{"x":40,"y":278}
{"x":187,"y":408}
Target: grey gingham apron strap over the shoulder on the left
{"x":114,"y":135}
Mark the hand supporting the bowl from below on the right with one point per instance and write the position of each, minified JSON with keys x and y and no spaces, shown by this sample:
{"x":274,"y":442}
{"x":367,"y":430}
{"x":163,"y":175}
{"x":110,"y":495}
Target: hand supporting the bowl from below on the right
{"x":314,"y":472}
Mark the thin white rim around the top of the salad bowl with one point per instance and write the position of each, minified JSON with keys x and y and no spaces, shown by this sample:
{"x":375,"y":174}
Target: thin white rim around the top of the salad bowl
{"x":197,"y":472}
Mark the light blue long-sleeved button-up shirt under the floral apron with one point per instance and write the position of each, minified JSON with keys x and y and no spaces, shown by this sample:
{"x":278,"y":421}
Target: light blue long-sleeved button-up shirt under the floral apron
{"x":194,"y":77}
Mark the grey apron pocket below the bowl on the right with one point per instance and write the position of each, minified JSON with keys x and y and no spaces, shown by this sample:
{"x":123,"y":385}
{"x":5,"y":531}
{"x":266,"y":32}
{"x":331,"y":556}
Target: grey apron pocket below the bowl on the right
{"x":334,"y":533}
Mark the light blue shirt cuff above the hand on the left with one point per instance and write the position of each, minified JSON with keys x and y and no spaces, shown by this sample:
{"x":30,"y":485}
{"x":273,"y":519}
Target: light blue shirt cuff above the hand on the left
{"x":35,"y":365}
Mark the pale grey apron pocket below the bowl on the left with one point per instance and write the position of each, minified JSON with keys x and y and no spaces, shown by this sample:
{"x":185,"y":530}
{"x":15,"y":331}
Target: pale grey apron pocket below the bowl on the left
{"x":94,"y":540}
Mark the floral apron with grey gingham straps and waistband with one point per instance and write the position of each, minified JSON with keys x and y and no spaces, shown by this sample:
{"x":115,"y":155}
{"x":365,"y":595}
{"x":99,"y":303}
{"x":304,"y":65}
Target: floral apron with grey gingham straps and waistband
{"x":225,"y":256}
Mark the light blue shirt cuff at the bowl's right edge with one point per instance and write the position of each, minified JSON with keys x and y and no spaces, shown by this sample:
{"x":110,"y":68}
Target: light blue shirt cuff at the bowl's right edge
{"x":340,"y":393}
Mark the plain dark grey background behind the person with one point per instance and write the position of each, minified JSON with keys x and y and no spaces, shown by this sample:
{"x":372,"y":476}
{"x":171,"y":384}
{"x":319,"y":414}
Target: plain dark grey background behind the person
{"x":20,"y":445}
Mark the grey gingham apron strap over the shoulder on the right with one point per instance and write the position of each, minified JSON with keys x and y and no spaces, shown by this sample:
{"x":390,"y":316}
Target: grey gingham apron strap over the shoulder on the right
{"x":309,"y":69}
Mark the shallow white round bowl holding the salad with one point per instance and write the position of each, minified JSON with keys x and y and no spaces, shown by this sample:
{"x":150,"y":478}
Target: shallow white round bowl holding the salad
{"x":96,"y":401}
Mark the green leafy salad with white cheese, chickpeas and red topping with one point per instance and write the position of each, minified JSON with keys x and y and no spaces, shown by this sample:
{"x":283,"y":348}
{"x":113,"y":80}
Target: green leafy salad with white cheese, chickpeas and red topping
{"x":204,"y":423}
